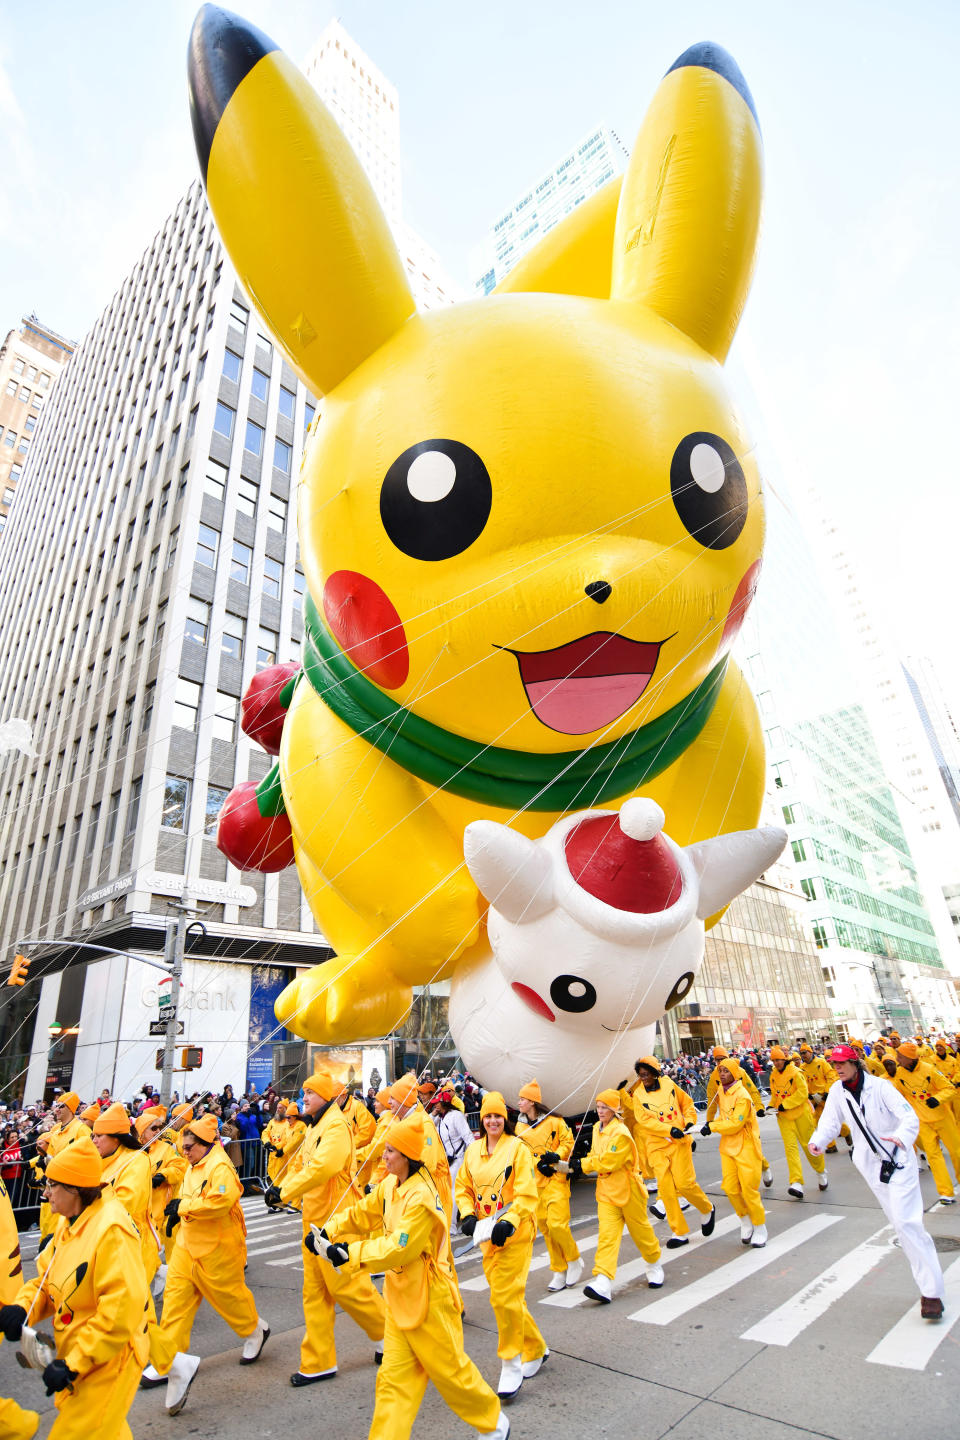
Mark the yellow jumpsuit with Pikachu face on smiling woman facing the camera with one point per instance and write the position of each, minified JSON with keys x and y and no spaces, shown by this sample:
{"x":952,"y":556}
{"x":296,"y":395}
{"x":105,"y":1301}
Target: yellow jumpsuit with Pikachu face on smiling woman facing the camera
{"x":503,"y":1184}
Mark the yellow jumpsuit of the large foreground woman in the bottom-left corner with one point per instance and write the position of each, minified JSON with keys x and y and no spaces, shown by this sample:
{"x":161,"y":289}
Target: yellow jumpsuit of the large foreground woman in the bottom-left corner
{"x":94,"y":1287}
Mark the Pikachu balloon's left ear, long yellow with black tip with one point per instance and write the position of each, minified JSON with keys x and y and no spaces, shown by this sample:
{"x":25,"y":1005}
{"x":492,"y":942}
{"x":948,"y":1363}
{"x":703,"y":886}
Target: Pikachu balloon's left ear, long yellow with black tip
{"x":293,"y":204}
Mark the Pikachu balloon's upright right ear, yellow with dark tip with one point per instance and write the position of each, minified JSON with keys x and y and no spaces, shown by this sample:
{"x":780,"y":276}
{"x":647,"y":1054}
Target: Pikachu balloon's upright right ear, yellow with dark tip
{"x":690,"y":208}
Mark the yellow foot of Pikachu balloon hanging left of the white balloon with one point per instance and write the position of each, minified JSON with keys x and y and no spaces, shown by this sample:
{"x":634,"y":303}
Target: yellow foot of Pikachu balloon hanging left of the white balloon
{"x":340,"y":1000}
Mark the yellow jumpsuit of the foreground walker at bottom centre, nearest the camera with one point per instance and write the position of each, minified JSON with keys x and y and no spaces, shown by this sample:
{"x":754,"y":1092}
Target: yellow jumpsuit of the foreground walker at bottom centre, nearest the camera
{"x":424,"y":1337}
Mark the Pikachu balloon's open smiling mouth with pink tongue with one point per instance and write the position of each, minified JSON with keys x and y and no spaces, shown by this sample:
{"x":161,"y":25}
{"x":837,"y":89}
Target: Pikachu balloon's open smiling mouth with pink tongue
{"x":588,"y":683}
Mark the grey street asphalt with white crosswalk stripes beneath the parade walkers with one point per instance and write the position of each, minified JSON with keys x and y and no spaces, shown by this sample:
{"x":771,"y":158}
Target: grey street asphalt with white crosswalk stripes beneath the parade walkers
{"x":820,"y":1334}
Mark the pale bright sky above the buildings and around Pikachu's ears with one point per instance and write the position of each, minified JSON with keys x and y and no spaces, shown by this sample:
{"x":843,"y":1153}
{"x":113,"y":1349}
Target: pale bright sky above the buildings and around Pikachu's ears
{"x":853,"y":330}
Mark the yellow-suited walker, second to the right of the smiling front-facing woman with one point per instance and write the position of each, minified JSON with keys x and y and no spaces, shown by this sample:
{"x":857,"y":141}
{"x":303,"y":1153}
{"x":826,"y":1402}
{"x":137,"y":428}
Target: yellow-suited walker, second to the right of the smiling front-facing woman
{"x":621,"y":1200}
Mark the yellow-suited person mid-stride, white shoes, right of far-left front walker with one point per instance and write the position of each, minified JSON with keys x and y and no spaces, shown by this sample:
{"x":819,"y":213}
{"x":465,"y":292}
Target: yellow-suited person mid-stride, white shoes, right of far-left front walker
{"x":207,"y":1265}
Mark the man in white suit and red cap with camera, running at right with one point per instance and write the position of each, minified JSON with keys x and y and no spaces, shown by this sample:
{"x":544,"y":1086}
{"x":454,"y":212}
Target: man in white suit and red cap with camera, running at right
{"x":884,"y":1128}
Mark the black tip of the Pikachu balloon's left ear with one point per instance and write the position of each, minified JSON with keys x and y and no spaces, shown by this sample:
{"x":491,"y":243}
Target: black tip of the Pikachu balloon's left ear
{"x":222,"y":53}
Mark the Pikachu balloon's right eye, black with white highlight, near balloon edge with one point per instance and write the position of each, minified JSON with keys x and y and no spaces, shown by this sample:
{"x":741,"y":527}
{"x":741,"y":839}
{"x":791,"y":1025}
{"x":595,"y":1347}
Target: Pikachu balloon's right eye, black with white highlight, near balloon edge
{"x":710,"y":492}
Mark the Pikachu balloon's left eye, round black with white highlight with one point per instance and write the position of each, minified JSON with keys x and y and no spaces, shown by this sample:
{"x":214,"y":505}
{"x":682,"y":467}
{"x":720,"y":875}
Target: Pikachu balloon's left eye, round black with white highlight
{"x":435,"y":500}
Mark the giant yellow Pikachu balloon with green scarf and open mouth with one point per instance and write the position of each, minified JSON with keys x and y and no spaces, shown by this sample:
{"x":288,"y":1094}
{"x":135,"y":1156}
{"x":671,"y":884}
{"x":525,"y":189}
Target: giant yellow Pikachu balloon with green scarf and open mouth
{"x":530,"y":525}
